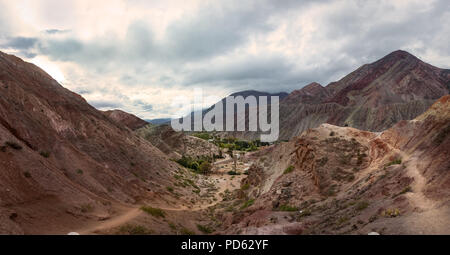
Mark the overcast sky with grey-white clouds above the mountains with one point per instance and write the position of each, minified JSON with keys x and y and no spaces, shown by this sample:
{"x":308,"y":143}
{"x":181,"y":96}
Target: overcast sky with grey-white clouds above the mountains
{"x":137,"y":55}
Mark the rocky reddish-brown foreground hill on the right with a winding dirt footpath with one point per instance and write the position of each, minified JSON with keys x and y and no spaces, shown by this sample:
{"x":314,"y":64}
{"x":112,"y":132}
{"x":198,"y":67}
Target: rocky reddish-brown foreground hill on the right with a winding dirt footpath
{"x":341,"y":180}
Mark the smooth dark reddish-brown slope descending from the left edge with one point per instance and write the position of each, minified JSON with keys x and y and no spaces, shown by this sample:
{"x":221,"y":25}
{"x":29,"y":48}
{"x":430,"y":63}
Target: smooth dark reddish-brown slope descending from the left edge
{"x":63,"y":162}
